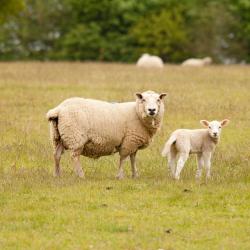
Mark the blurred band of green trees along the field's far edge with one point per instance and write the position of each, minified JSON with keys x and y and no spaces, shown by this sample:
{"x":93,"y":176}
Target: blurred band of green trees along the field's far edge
{"x":121,"y":30}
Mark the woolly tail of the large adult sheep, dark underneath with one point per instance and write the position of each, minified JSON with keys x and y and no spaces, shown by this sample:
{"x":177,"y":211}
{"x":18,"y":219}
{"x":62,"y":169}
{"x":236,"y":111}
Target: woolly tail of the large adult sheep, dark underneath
{"x":52,"y":117}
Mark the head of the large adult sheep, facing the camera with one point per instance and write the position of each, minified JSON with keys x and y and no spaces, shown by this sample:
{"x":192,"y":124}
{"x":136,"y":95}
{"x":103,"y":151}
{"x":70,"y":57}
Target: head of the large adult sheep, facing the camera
{"x":149,"y":103}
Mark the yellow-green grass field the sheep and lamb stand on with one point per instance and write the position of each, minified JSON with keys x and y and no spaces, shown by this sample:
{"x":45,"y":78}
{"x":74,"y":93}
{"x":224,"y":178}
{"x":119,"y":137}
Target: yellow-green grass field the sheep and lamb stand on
{"x":38,"y":211}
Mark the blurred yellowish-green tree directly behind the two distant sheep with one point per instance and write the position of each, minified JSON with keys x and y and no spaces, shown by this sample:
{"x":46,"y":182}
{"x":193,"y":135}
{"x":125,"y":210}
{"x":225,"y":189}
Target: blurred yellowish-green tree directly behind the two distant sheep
{"x":162,"y":34}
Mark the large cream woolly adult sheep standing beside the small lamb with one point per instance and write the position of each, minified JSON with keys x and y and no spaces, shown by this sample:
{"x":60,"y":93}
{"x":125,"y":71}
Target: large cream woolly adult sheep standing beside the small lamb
{"x":95,"y":128}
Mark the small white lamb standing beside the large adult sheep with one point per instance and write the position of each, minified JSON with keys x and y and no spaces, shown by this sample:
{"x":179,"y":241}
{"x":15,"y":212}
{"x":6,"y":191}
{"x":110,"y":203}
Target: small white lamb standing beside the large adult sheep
{"x":202,"y":142}
